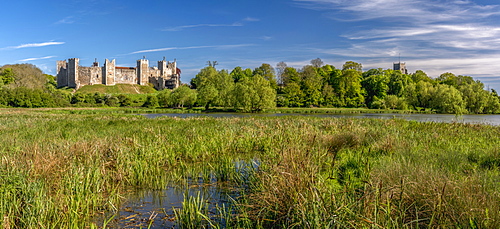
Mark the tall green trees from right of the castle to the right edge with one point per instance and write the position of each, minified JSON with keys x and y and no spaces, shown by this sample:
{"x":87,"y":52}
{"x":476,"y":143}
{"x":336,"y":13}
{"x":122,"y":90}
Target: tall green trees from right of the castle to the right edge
{"x":323,"y":85}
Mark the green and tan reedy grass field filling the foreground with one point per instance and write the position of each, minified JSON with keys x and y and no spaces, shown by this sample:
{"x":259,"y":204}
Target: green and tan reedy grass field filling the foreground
{"x":61,"y":169}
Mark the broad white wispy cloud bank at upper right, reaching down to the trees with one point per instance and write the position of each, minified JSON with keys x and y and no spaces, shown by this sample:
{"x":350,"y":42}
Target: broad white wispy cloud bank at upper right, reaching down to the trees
{"x":437,"y":36}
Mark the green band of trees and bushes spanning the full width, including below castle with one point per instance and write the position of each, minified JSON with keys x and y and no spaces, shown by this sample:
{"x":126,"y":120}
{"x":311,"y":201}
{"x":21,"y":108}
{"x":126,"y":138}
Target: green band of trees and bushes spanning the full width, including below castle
{"x":247,"y":90}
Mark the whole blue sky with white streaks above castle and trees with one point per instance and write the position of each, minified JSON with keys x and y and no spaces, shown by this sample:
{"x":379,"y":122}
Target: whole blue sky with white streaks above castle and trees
{"x":436,"y":36}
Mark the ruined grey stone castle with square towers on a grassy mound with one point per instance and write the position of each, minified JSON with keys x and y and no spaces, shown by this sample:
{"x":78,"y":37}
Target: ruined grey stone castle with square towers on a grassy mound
{"x":71,"y":74}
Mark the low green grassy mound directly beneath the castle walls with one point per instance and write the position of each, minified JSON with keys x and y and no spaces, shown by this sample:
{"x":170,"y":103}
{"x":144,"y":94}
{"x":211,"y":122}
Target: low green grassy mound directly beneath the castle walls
{"x":117,"y":89}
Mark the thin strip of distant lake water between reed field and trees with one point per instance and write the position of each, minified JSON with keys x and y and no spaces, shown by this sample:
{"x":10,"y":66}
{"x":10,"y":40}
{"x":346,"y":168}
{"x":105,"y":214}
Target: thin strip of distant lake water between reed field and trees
{"x":448,"y":118}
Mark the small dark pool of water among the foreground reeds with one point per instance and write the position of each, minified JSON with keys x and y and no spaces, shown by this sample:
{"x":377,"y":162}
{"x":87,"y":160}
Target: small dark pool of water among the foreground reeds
{"x":155,"y":208}
